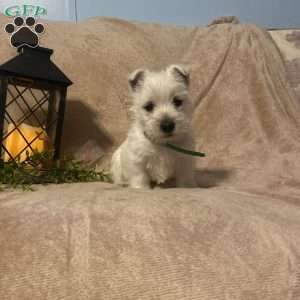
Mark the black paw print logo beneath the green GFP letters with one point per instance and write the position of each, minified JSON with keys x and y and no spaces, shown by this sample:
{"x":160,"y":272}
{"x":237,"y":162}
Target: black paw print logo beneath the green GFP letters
{"x":24,"y":32}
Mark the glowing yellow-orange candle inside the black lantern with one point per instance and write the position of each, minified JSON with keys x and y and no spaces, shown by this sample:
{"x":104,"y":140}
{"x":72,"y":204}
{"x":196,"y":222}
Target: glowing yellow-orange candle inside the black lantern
{"x":15,"y":142}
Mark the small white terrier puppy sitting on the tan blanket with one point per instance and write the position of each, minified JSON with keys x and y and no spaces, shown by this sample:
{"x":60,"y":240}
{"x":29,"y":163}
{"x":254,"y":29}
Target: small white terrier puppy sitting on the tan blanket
{"x":162,"y":114}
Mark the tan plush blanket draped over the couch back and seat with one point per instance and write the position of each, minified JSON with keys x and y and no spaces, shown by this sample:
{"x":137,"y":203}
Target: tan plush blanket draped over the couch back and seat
{"x":235,"y":237}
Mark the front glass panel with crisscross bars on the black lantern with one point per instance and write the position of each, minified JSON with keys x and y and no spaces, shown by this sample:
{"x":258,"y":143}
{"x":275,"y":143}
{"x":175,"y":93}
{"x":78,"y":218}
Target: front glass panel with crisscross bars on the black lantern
{"x":30,"y":119}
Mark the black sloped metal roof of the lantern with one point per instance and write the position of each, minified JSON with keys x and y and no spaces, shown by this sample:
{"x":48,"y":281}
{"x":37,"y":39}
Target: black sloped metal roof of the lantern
{"x":35,"y":63}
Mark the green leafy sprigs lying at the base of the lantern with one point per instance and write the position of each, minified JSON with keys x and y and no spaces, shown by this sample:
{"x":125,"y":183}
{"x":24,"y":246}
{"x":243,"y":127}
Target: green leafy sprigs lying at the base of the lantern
{"x":40,"y":168}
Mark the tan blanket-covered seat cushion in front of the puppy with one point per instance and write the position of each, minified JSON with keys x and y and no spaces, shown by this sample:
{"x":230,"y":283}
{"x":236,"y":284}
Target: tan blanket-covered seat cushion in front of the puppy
{"x":96,"y":241}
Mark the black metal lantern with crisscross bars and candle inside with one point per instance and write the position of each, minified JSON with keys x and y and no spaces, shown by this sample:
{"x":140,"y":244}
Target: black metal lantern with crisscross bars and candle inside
{"x":32,"y":104}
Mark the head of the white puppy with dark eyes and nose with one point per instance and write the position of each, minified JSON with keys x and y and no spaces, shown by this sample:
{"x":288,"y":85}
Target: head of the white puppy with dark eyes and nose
{"x":161,"y":105}
